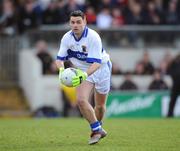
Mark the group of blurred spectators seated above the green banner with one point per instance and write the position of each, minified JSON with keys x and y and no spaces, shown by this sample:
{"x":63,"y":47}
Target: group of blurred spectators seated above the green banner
{"x":145,"y":67}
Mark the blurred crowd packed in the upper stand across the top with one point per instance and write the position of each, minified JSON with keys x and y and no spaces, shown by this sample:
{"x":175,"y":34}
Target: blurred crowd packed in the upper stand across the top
{"x":17,"y":16}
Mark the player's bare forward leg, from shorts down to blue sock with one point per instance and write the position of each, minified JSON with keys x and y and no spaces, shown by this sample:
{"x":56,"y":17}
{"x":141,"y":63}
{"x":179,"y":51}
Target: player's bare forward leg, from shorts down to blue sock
{"x":83,"y":93}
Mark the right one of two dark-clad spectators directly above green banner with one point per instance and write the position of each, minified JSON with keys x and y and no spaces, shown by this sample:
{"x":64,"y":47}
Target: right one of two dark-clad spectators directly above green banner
{"x":158,"y":83}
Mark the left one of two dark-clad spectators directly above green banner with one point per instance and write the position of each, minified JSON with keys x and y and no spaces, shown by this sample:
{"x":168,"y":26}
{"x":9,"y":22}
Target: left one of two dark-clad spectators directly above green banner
{"x":128,"y":84}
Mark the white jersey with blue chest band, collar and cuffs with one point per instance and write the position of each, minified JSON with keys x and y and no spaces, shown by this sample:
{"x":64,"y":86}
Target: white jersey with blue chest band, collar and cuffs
{"x":84,"y":51}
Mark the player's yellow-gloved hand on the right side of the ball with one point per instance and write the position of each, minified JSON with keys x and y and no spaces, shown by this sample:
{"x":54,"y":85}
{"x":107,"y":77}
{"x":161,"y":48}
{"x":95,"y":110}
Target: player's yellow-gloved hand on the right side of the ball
{"x":79,"y":78}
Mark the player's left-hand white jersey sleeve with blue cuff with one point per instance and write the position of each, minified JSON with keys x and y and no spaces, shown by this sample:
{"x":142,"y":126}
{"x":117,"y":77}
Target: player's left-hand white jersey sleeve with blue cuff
{"x":62,"y":53}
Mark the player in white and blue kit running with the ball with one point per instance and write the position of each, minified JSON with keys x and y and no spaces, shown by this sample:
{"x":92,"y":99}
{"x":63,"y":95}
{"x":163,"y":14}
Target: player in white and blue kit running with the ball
{"x":83,"y":47}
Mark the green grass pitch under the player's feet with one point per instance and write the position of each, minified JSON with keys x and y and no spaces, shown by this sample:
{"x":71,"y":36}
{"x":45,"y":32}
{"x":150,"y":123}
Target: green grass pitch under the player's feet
{"x":72,"y":135}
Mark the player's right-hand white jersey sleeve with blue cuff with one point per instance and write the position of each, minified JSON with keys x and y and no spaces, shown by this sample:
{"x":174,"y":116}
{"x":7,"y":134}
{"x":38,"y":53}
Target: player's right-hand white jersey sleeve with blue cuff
{"x":95,"y":49}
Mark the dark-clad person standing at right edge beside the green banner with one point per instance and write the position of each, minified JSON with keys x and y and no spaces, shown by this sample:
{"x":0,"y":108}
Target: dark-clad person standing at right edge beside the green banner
{"x":174,"y":71}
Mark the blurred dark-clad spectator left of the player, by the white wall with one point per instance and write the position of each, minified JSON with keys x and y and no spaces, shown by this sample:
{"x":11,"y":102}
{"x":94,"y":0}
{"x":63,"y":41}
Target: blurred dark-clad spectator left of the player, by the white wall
{"x":48,"y":65}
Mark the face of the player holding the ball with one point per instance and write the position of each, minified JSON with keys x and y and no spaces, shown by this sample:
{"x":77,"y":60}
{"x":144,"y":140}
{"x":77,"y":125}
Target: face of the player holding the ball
{"x":77,"y":25}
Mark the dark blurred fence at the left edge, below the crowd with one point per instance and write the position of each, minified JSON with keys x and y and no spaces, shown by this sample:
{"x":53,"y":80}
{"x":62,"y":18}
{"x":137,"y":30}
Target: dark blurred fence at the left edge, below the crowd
{"x":9,"y":50}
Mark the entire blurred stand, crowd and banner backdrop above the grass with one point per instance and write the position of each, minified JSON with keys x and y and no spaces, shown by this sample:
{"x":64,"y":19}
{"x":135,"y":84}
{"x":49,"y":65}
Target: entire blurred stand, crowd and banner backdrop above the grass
{"x":141,"y":36}
